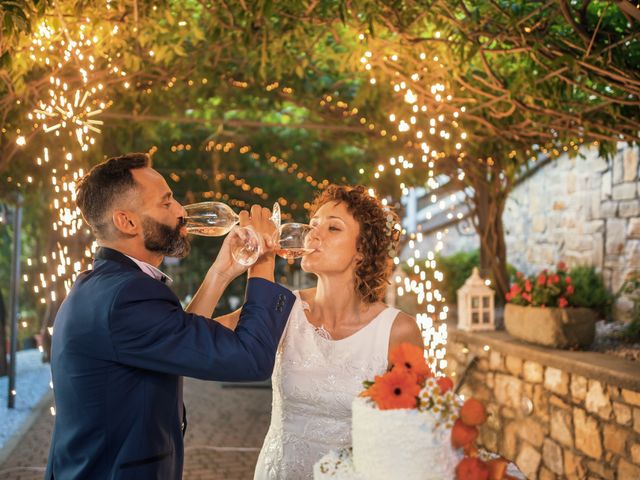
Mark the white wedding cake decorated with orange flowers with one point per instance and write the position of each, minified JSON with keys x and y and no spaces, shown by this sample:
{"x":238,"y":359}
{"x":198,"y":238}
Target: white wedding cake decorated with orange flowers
{"x":409,"y":425}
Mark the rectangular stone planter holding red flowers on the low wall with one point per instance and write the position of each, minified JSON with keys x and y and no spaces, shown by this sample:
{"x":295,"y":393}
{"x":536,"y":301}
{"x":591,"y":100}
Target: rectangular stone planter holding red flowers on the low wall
{"x":551,"y":327}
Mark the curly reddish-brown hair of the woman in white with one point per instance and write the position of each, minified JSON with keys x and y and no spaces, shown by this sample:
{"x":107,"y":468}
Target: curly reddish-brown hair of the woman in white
{"x":378,"y":239}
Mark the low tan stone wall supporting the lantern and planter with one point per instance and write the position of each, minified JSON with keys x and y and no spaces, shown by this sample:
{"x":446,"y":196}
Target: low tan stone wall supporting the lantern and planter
{"x":556,"y":414}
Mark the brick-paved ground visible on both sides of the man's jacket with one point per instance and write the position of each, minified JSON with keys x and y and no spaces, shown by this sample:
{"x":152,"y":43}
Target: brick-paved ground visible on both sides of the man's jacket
{"x":226,"y":427}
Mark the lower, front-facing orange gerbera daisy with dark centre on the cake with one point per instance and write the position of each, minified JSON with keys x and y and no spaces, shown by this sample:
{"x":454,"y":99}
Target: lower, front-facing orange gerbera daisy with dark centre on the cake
{"x":396,"y":389}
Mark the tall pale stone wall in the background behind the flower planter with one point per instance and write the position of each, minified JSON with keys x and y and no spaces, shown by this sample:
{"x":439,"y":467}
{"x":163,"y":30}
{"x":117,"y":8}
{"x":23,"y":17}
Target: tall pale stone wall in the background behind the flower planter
{"x":581,"y":211}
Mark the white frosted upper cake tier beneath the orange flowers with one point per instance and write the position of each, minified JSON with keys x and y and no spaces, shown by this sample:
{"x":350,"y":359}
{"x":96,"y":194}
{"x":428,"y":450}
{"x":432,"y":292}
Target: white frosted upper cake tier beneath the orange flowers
{"x":400,"y":443}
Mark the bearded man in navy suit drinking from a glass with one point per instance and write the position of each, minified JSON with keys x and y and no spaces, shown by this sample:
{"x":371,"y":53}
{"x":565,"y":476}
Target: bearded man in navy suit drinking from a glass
{"x":122,"y":341}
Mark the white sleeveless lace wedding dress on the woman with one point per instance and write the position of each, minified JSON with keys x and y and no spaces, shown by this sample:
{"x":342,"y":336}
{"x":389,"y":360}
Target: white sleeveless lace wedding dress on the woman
{"x":315,"y":379}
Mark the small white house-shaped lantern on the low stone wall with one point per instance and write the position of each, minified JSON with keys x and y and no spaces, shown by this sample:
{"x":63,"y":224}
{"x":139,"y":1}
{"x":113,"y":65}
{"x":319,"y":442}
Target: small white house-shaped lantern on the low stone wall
{"x":476,"y":304}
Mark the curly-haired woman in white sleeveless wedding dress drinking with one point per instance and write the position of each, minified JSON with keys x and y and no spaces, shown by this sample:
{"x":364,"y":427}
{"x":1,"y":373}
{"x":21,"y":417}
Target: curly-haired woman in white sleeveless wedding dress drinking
{"x":338,"y":333}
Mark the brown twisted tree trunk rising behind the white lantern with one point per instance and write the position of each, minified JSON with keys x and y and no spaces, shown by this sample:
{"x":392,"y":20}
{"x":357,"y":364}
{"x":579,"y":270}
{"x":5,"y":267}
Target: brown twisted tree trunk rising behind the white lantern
{"x":489,"y":206}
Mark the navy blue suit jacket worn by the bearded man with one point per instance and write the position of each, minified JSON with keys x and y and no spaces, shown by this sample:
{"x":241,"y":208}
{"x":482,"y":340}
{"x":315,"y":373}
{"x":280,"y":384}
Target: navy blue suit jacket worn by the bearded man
{"x":121,"y":343}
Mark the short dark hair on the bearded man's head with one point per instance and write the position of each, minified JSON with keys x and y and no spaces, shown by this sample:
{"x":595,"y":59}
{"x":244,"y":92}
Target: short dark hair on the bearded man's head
{"x":107,"y":182}
